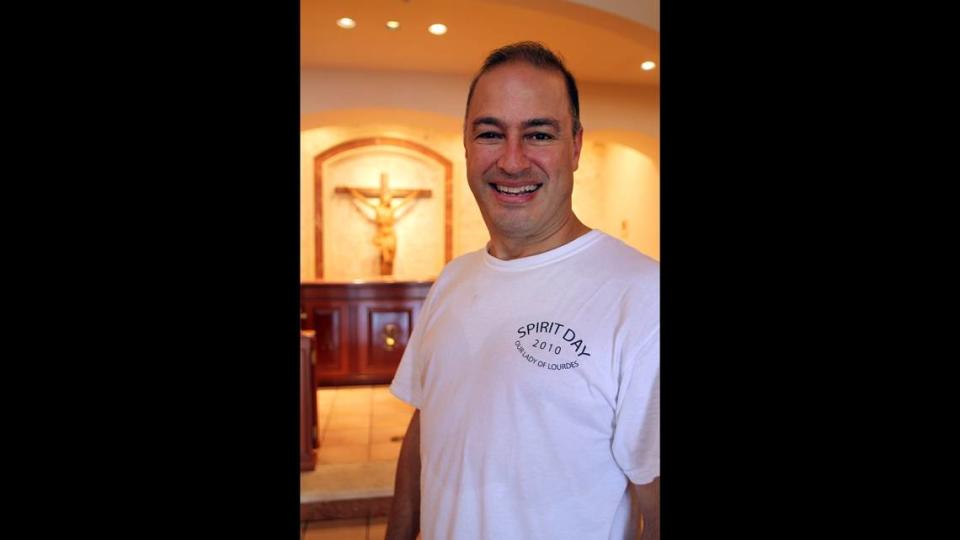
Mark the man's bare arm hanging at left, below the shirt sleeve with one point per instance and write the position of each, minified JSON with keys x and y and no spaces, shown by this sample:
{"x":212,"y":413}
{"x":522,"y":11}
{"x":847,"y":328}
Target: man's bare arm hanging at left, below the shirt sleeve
{"x":404,"y":520}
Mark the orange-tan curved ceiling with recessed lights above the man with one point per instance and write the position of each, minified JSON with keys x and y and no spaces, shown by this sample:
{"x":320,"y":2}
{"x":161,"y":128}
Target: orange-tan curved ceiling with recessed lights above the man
{"x":600,"y":40}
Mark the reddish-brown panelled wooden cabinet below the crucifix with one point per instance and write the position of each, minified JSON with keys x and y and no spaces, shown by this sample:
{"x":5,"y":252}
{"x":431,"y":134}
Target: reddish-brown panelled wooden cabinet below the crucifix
{"x":361,"y":328}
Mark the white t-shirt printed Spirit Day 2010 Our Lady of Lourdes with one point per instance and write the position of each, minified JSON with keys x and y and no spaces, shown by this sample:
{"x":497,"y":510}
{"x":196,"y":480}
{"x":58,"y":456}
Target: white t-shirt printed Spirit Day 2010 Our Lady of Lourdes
{"x":537,"y":381}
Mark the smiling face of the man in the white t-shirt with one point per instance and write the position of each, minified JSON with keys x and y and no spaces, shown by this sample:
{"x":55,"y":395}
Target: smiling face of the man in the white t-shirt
{"x":521,"y":151}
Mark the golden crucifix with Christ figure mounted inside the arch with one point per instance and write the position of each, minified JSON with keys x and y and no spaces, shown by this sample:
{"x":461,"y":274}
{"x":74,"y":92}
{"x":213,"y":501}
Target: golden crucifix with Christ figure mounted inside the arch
{"x":384,"y":215}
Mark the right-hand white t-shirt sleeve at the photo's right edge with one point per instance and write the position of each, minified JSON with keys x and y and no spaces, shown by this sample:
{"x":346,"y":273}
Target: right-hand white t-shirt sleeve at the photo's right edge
{"x":636,"y":438}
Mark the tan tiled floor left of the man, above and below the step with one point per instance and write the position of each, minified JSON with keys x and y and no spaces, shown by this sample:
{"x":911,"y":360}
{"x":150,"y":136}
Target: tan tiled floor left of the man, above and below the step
{"x":361,"y":429}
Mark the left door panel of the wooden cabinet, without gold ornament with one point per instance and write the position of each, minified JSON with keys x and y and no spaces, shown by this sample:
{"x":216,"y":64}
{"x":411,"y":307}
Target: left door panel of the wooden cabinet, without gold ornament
{"x":330,"y":320}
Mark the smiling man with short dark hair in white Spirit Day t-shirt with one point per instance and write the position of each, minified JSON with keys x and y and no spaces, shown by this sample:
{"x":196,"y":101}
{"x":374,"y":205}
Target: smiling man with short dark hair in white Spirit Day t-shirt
{"x":534,"y":365}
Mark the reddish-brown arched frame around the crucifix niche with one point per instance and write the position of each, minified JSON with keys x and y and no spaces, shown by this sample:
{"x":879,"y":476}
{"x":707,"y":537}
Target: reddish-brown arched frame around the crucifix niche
{"x":321,"y":158}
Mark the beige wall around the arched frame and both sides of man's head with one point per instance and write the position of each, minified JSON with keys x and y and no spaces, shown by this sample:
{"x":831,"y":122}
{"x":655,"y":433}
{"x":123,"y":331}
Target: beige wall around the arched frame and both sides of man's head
{"x":617,"y":181}
